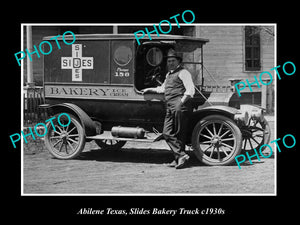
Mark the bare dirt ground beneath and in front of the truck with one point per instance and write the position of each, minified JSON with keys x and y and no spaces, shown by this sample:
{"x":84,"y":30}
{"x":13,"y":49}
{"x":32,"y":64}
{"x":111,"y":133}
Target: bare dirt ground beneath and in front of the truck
{"x":139,"y":168}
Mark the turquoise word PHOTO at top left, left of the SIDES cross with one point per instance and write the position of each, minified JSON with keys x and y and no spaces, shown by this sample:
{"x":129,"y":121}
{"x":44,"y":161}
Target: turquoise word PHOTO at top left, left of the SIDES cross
{"x":23,"y":54}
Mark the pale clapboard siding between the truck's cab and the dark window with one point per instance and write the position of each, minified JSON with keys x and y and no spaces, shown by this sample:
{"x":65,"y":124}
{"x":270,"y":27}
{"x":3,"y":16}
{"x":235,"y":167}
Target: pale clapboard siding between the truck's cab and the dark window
{"x":223,"y":52}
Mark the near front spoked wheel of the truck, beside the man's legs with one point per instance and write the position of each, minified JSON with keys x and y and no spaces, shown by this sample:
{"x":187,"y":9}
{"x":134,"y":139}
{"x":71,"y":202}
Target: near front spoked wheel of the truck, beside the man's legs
{"x":216,"y":140}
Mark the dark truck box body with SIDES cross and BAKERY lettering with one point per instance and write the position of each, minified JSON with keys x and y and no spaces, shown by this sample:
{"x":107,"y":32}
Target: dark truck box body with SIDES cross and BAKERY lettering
{"x":97,"y":74}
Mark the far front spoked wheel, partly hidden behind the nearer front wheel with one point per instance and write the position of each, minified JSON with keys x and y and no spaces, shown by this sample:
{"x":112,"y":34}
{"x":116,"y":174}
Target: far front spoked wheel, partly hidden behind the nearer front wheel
{"x":255,"y":134}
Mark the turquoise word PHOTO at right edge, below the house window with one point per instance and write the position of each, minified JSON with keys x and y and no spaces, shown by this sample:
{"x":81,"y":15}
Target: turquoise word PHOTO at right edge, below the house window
{"x":260,"y":77}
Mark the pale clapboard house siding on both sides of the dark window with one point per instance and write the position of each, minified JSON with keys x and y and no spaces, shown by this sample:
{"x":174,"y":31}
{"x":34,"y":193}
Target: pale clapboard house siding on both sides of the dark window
{"x":224,"y":54}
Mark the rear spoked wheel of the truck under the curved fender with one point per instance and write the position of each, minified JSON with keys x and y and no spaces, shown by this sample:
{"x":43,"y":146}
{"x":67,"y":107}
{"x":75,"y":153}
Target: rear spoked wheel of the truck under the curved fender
{"x":65,"y":142}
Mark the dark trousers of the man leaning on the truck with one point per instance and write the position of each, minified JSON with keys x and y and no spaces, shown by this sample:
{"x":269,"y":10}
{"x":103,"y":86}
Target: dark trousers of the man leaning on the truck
{"x":175,"y":126}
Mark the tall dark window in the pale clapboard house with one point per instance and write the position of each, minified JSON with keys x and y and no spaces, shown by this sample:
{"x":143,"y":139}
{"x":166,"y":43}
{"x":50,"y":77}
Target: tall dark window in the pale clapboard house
{"x":252,"y":48}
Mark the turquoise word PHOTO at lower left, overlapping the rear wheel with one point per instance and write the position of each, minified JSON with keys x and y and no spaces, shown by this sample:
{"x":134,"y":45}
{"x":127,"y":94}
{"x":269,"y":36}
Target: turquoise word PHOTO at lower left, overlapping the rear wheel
{"x":30,"y":133}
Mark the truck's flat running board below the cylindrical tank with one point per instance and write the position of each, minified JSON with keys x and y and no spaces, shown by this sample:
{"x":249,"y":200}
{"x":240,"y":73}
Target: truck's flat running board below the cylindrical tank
{"x":106,"y":135}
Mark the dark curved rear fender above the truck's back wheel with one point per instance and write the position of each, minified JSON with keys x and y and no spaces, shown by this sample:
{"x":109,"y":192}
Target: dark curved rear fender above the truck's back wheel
{"x":87,"y":123}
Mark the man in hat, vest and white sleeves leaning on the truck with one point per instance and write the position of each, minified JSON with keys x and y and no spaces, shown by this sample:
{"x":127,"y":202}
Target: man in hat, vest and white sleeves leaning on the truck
{"x":178,"y":88}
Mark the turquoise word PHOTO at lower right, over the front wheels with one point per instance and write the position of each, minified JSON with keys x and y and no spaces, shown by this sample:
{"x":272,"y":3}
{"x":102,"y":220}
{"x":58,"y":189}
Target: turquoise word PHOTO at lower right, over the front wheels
{"x":261,"y":147}
